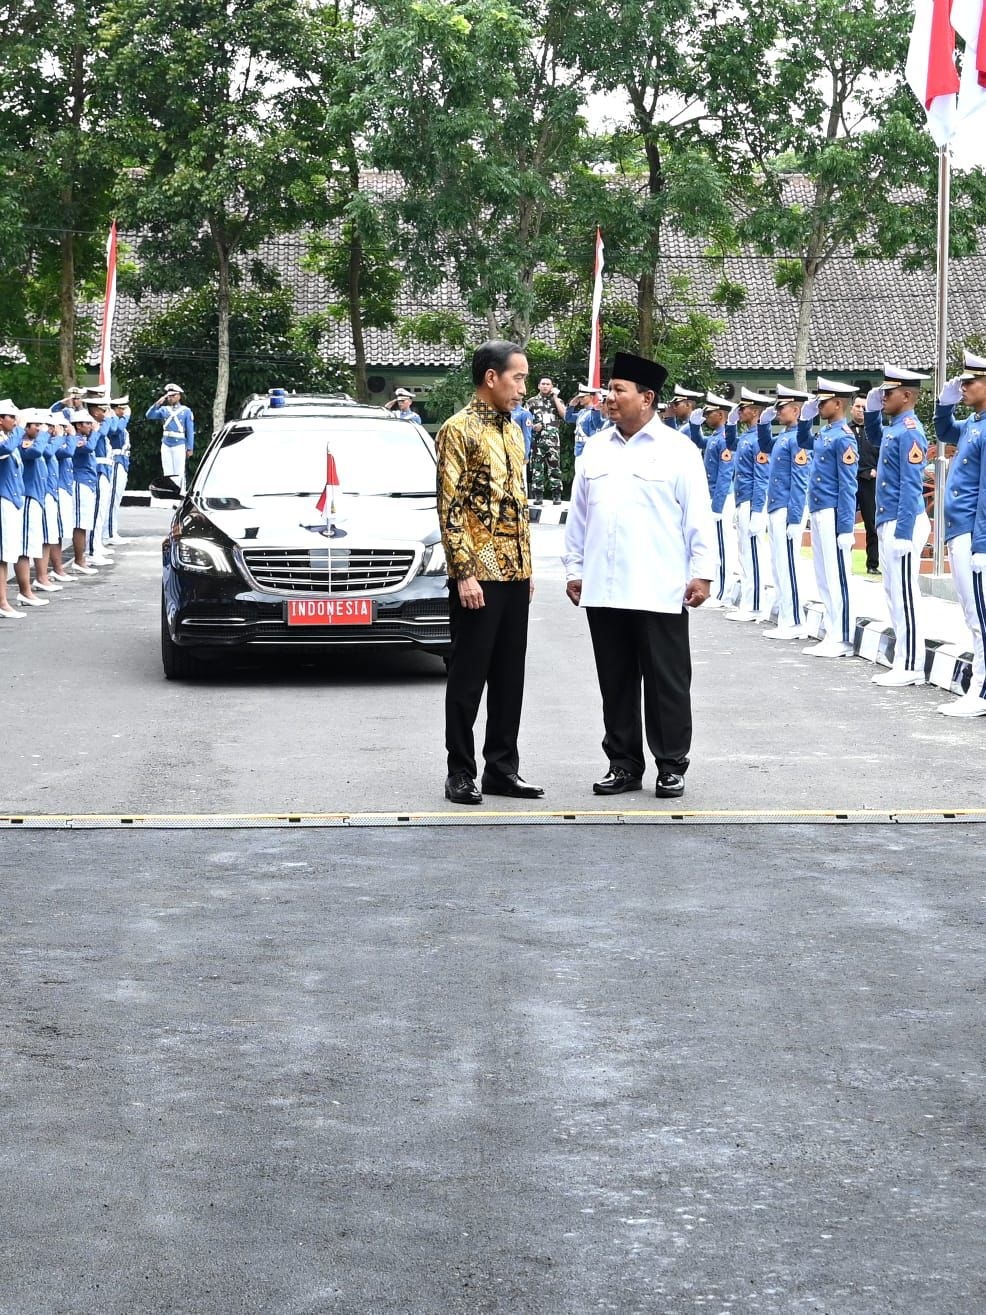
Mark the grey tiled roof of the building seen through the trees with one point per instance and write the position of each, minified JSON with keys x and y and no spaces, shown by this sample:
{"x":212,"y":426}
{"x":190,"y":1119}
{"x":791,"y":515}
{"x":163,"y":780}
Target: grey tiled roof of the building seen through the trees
{"x":864,"y":312}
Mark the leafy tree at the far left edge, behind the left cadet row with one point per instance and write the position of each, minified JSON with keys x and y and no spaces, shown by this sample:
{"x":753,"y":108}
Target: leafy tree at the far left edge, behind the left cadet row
{"x":56,"y":170}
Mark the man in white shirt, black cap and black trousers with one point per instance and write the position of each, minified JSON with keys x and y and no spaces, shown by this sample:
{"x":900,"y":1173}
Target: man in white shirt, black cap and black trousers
{"x":640,"y":552}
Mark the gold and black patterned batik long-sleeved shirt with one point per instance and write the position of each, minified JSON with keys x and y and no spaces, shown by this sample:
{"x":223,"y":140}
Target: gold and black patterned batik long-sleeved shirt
{"x":482,"y":496}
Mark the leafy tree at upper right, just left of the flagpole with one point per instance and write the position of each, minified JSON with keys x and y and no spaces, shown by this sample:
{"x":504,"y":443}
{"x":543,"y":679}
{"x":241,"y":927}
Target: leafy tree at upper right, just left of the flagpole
{"x":826,"y":145}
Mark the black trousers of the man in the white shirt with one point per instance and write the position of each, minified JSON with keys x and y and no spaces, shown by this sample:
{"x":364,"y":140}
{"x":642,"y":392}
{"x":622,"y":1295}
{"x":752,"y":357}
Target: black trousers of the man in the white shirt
{"x":651,"y":649}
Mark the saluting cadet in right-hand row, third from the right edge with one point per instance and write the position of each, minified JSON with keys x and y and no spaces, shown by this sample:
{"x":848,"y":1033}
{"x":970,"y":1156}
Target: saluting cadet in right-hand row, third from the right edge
{"x":833,"y":506}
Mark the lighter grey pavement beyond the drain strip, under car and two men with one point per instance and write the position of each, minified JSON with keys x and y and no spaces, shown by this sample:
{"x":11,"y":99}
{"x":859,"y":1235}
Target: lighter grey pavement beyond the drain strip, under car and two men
{"x":90,"y":725}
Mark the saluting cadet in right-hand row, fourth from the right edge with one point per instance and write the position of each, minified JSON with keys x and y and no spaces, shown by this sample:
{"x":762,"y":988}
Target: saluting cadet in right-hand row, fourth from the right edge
{"x":787,"y":506}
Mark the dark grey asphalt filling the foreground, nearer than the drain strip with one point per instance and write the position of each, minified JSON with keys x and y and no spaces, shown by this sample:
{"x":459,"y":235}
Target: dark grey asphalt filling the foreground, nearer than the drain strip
{"x":527,"y":1071}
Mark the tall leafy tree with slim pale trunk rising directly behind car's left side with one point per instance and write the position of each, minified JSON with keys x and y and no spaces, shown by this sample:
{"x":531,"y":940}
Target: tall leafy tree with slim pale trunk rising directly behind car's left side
{"x":203,"y":103}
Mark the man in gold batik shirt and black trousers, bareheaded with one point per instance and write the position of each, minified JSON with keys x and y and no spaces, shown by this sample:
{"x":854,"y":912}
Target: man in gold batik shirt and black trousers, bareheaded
{"x":486,"y":533}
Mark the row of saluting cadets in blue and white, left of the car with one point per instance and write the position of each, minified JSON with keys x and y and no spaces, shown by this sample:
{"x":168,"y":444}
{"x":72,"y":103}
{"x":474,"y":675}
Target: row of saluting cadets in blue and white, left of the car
{"x":64,"y":473}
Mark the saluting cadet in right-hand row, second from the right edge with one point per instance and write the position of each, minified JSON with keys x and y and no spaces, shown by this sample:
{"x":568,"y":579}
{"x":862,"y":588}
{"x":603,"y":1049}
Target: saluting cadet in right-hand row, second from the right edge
{"x":903,"y":523}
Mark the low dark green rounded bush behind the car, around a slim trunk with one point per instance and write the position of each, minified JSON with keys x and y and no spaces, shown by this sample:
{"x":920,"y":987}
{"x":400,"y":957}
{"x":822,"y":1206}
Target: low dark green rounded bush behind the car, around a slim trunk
{"x":270,"y":348}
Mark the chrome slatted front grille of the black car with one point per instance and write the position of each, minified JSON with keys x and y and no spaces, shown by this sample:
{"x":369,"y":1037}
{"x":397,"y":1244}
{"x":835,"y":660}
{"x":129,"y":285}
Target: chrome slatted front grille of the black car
{"x":328,"y":570}
